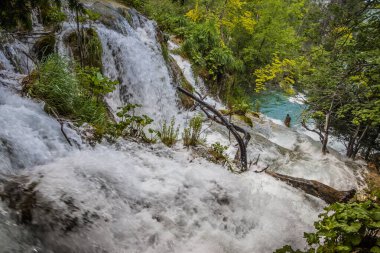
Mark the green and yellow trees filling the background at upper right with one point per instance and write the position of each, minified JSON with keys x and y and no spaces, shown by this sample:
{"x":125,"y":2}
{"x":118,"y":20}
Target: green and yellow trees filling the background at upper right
{"x":329,"y":51}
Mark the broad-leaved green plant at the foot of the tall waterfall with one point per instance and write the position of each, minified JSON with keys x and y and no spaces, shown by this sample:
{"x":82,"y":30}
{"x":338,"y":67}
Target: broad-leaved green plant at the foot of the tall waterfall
{"x":131,"y":124}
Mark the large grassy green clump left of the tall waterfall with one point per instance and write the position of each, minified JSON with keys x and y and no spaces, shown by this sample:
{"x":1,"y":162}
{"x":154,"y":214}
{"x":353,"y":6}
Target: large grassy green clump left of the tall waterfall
{"x":58,"y":86}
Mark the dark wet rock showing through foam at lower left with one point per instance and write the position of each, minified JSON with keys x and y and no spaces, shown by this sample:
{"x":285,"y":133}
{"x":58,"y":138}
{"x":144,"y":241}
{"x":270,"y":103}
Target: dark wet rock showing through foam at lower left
{"x":29,"y":208}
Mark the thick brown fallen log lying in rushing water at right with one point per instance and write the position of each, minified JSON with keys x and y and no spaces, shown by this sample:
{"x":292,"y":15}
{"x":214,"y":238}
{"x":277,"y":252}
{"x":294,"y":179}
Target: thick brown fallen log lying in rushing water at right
{"x":315,"y":188}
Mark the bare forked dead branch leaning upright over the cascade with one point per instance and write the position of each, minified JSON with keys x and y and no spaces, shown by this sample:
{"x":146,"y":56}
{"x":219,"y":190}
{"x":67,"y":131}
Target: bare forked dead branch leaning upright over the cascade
{"x":217,"y":116}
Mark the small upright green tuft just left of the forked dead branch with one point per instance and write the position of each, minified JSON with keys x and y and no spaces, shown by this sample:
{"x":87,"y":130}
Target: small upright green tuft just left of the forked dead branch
{"x":192,"y":135}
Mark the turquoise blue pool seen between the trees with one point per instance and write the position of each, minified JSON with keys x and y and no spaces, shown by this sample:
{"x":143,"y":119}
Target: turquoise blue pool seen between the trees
{"x":276,"y":105}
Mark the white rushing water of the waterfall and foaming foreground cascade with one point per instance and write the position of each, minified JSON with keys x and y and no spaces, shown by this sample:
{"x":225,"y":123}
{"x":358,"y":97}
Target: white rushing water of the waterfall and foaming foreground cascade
{"x":130,"y":197}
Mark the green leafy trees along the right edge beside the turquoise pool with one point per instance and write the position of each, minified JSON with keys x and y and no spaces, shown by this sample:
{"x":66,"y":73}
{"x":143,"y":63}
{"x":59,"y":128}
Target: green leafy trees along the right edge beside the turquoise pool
{"x":342,"y":78}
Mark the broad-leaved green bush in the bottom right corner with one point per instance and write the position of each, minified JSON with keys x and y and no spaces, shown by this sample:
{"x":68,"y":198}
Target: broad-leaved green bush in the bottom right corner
{"x":352,"y":227}
